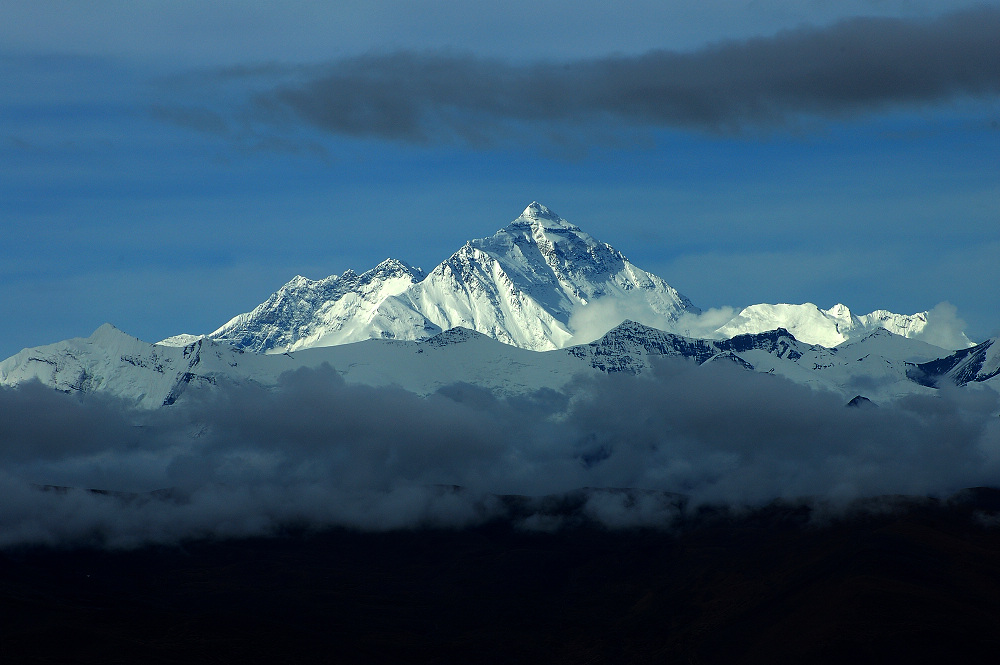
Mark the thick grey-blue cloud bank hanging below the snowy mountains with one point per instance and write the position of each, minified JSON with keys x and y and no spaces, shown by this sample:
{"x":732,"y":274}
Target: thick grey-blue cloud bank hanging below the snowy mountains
{"x":314,"y":452}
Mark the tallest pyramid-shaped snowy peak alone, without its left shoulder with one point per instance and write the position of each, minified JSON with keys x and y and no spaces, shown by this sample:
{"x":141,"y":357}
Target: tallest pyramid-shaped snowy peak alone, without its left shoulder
{"x":523,"y":284}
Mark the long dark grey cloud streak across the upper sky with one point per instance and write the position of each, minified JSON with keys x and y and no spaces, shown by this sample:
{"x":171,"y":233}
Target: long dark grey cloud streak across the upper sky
{"x":856,"y":66}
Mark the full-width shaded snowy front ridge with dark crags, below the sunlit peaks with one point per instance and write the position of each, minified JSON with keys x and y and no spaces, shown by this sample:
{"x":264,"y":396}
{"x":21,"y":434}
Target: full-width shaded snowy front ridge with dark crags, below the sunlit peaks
{"x":111,"y":362}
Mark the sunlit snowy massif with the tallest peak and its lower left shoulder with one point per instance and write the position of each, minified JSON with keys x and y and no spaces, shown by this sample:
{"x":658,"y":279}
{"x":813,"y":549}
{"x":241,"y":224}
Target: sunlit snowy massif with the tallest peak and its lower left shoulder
{"x":521,"y":286}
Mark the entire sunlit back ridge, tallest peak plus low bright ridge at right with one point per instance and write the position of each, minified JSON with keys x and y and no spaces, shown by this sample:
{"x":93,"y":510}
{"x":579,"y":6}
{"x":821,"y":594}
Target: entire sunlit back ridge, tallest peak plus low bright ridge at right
{"x":539,"y":283}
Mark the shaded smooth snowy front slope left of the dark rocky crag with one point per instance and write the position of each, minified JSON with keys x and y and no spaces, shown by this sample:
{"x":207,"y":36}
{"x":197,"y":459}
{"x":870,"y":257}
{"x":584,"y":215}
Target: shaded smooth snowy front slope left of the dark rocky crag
{"x":151,"y":375}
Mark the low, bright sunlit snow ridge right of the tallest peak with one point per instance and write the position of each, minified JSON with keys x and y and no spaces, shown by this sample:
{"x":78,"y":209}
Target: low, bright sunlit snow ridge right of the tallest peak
{"x":827,"y":327}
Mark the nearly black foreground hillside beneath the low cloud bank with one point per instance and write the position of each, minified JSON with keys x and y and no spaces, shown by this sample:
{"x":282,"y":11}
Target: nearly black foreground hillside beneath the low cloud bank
{"x":905,"y":580}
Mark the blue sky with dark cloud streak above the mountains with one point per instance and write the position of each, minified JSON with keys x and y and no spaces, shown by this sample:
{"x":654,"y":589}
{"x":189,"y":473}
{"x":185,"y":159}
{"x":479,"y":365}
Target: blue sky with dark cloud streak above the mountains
{"x":166,"y":165}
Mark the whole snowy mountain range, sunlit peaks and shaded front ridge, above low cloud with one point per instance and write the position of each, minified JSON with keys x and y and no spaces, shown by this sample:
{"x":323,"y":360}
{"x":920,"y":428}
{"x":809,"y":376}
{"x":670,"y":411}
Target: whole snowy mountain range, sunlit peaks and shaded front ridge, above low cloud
{"x":508,"y":313}
